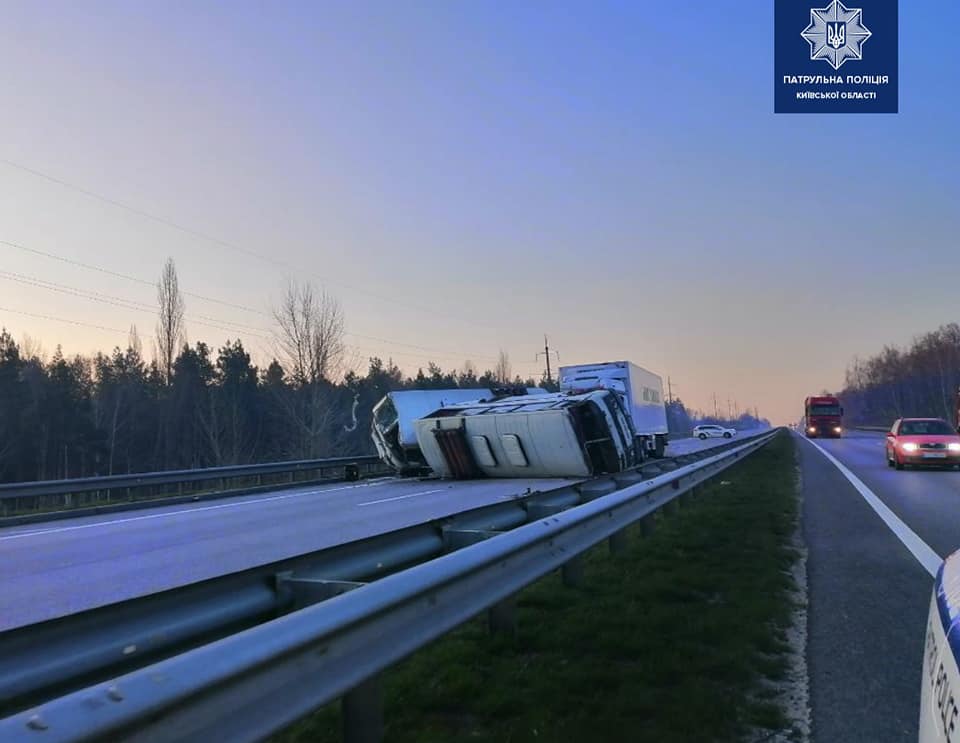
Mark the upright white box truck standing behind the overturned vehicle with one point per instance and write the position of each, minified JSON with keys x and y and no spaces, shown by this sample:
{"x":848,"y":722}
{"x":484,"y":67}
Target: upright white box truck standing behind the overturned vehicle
{"x":641,"y":391}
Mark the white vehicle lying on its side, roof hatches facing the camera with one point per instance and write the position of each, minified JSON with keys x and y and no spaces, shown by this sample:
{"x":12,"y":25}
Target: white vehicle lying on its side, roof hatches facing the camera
{"x":553,"y":435}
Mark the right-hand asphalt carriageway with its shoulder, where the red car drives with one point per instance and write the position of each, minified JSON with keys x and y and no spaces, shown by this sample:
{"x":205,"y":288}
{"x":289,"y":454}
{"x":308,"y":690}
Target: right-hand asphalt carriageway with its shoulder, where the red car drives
{"x":869,"y":594}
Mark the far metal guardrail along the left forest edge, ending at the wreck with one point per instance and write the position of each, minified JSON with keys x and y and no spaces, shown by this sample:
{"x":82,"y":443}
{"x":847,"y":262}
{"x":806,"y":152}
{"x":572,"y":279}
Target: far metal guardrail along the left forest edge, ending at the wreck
{"x":91,"y":491}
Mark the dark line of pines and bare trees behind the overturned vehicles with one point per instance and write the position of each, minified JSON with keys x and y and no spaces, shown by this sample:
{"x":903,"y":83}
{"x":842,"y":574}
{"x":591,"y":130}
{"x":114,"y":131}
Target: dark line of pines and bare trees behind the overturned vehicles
{"x":192,"y":406}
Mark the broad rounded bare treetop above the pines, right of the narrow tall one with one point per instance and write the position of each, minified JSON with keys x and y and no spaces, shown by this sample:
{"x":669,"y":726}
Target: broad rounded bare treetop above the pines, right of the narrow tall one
{"x":309,"y":338}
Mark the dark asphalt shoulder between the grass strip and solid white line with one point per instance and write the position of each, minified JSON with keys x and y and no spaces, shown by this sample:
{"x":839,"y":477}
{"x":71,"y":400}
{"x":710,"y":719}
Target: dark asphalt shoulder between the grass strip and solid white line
{"x":868,"y":600}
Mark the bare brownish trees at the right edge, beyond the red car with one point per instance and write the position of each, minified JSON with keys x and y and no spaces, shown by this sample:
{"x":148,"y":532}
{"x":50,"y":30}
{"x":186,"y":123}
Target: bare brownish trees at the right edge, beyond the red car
{"x":920,"y":380}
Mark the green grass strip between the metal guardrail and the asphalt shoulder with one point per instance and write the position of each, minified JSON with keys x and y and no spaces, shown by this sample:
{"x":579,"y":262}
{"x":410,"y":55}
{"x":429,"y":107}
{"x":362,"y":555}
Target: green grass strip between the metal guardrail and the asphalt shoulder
{"x":675,"y":640}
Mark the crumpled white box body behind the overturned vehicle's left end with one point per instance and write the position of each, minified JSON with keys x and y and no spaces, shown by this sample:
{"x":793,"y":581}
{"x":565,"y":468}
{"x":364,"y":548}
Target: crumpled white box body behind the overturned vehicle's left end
{"x":393,"y":431}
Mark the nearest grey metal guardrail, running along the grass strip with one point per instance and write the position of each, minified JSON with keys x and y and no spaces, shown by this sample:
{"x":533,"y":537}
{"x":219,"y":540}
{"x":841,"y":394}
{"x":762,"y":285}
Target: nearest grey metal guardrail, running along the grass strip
{"x":250,"y":684}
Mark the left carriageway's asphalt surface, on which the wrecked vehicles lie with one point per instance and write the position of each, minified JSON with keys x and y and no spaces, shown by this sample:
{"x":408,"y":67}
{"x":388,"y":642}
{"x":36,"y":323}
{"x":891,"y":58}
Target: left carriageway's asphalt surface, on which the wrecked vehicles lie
{"x":62,"y":567}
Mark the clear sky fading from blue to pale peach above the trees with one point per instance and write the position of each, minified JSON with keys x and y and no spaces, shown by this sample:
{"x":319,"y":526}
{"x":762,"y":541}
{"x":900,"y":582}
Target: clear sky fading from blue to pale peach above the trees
{"x":465,"y":177}
